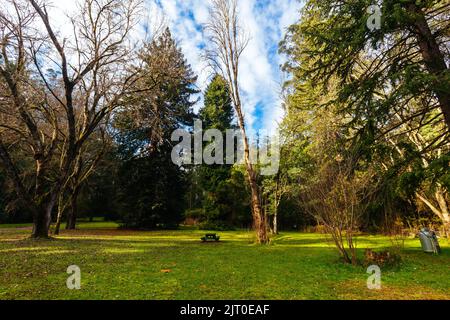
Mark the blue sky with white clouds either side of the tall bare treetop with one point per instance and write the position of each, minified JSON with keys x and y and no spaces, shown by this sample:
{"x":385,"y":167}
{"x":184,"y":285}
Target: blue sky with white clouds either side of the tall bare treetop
{"x":265,"y":21}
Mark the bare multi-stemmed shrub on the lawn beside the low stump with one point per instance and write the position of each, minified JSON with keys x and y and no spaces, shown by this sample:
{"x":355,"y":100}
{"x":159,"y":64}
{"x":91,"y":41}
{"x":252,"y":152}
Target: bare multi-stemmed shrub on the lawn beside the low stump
{"x":337,"y":200}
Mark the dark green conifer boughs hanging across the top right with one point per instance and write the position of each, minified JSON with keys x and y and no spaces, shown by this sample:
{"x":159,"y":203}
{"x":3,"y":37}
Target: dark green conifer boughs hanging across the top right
{"x":377,"y":70}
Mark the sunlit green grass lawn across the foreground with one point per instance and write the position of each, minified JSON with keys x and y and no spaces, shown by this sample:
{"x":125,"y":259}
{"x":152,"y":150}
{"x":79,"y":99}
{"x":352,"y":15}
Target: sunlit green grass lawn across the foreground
{"x":120,"y":264}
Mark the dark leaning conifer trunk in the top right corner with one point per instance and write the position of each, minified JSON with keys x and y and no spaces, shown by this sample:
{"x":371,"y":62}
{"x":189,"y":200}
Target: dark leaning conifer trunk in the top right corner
{"x":433,"y":59}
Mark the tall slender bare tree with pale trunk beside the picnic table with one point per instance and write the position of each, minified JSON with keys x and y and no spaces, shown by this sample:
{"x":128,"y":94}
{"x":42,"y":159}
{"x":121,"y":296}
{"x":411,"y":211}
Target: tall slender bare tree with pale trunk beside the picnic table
{"x":227,"y":42}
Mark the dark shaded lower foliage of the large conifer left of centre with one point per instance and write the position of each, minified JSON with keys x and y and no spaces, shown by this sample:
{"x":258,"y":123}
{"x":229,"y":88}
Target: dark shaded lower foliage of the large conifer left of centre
{"x":151,"y":192}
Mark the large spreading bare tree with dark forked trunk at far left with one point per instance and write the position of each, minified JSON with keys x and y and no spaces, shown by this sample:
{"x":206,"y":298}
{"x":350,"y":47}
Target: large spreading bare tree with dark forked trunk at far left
{"x":59,"y":109}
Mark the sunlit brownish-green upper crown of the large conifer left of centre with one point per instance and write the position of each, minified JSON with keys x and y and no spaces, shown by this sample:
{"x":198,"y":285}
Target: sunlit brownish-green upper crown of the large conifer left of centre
{"x":161,"y":101}
